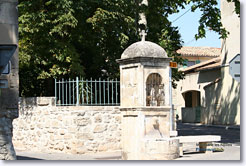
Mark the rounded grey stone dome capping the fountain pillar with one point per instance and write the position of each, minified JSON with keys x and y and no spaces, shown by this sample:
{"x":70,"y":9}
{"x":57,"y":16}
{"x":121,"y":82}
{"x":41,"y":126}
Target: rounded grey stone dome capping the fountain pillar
{"x":144,"y":49}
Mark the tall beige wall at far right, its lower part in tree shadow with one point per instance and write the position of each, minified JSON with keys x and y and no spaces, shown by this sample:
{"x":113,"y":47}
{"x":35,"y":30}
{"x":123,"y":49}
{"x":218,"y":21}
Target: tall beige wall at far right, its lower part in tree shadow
{"x":223,"y":98}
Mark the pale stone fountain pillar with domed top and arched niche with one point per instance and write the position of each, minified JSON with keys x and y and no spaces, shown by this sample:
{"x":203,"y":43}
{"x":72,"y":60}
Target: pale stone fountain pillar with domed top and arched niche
{"x":145,"y":107}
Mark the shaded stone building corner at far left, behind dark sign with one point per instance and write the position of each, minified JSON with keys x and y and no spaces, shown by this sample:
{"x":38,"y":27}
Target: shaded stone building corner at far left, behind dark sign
{"x":9,"y":96}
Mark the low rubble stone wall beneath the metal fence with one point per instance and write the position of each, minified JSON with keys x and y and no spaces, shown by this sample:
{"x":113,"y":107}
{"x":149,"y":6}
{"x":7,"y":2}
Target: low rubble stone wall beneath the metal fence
{"x":42,"y":126}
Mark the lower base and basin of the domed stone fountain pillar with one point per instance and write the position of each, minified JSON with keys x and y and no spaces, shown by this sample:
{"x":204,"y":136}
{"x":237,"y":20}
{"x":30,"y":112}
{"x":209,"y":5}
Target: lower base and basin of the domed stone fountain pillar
{"x":146,"y":135}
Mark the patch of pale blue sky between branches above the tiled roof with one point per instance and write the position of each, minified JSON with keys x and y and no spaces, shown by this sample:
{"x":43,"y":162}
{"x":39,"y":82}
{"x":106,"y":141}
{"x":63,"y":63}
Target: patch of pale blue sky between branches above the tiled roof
{"x":188,"y":25}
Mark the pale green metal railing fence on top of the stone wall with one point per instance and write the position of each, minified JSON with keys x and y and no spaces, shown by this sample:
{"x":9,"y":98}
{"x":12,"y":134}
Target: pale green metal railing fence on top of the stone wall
{"x":87,"y":92}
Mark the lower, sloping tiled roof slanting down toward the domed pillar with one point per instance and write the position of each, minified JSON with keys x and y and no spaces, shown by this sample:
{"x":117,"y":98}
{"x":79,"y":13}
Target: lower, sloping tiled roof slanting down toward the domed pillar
{"x":209,"y":64}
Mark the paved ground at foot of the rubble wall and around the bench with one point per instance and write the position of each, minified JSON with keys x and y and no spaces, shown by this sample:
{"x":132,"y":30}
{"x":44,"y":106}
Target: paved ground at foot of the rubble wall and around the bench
{"x":230,"y":142}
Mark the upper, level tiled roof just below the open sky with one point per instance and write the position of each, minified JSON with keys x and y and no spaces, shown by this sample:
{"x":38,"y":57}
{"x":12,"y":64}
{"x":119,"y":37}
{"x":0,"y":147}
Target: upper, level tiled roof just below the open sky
{"x":200,"y":51}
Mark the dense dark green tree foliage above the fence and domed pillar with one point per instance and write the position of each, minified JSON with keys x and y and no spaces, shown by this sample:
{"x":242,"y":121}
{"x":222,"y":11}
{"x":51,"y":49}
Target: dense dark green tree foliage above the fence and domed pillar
{"x":68,"y":38}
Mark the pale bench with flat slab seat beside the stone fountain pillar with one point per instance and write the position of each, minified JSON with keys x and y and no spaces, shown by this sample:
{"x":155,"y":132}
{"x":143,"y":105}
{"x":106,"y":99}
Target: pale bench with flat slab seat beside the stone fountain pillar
{"x":205,"y":142}
